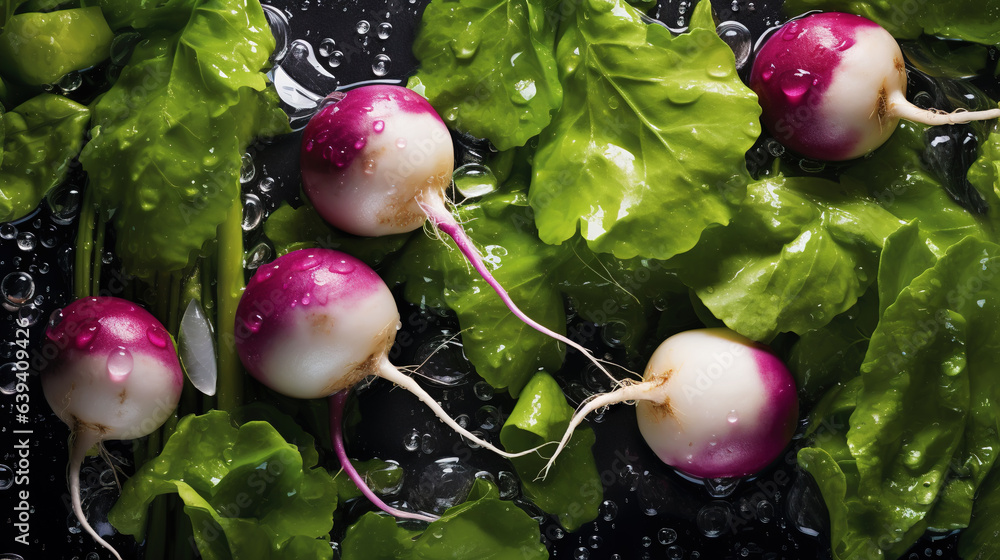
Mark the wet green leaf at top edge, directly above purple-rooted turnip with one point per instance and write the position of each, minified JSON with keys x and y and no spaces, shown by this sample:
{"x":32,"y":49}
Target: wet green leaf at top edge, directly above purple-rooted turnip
{"x":488,"y":66}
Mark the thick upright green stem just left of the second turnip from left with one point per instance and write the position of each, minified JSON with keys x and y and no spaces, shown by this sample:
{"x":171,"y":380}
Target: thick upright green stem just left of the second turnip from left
{"x":228,"y":291}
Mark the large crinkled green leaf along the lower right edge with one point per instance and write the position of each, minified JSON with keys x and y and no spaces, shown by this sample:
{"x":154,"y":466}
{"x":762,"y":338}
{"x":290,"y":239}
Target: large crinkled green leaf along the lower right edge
{"x":922,"y":435}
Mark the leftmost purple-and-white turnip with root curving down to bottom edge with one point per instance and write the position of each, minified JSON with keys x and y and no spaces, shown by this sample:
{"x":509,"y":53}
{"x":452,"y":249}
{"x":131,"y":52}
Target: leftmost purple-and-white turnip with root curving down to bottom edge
{"x":116,"y":376}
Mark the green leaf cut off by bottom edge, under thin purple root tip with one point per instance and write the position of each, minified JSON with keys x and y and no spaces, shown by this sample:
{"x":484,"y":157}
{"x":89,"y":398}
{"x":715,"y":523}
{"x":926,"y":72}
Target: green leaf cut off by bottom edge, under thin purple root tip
{"x":483,"y":527}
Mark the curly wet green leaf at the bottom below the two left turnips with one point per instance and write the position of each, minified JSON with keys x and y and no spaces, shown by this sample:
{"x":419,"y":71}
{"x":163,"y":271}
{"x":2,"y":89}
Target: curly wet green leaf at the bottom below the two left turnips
{"x":246,"y":484}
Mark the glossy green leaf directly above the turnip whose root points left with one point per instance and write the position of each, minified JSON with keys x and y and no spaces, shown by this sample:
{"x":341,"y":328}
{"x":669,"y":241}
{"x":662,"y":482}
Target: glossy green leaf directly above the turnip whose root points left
{"x":800,"y":251}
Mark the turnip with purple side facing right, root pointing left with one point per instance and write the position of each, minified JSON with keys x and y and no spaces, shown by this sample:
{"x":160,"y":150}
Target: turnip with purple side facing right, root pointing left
{"x":712,"y":404}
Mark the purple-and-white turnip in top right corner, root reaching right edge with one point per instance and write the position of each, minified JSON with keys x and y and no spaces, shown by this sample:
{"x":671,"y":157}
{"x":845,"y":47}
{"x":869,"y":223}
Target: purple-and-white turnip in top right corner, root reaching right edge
{"x":833,"y":87}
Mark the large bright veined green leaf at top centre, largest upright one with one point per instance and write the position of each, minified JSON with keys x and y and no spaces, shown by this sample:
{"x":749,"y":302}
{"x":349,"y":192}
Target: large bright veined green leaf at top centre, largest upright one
{"x":648,"y":148}
